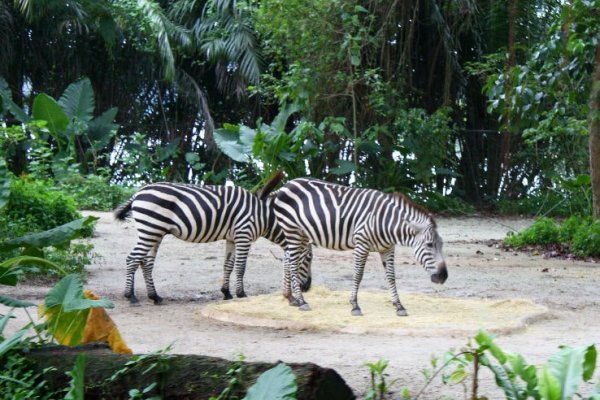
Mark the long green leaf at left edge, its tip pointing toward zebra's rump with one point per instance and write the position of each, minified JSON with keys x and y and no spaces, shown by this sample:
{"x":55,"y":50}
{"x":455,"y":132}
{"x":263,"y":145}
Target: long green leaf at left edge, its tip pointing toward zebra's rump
{"x":57,"y":237}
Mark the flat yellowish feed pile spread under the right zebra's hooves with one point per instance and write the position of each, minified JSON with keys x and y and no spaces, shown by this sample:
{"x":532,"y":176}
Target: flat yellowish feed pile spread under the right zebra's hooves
{"x":427,"y":315}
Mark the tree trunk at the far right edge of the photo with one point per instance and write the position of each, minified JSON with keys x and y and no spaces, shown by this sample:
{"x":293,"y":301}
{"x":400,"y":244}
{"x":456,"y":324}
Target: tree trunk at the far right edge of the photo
{"x":594,"y":128}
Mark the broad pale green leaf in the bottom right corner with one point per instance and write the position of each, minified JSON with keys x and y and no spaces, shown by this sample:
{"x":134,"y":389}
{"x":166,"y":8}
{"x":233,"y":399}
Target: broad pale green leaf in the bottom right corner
{"x":567,"y":366}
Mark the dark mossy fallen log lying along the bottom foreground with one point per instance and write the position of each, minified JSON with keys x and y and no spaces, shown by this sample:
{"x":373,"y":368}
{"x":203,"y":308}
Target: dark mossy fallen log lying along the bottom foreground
{"x":112,"y":376}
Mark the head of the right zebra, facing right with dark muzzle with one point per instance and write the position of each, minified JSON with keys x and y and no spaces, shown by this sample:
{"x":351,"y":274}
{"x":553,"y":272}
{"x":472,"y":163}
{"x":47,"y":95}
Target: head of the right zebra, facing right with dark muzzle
{"x":427,"y":245}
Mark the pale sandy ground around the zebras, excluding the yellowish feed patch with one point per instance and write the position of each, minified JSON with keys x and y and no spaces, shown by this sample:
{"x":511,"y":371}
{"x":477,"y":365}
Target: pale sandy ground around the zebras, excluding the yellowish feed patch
{"x":188,"y":276}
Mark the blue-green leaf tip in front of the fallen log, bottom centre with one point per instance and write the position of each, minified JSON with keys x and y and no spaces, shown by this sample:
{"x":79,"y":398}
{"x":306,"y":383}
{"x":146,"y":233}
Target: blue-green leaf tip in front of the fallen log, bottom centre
{"x":278,"y":383}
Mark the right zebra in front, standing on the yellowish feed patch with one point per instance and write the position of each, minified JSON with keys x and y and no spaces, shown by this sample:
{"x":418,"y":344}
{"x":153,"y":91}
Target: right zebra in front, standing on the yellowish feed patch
{"x":342,"y":218}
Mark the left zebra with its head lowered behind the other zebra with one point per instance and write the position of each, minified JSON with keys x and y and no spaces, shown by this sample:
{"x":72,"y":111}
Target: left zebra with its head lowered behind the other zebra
{"x":202,"y":214}
